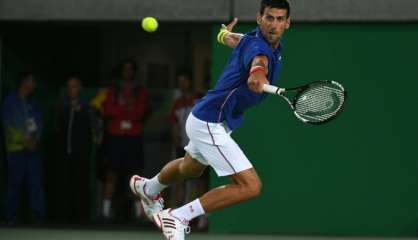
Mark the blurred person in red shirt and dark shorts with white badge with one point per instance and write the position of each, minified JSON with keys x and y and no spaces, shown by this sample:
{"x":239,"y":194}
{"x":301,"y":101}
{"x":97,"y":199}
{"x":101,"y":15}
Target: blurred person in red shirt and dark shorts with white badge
{"x":125,"y":108}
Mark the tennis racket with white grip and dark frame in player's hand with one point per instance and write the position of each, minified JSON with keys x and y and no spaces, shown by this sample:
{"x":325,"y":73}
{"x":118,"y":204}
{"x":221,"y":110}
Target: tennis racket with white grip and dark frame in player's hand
{"x":315,"y":103}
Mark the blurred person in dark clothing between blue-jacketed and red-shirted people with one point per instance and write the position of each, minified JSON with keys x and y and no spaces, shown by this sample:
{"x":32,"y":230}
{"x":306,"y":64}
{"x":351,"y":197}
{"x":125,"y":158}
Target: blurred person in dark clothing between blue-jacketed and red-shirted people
{"x":74,"y":135}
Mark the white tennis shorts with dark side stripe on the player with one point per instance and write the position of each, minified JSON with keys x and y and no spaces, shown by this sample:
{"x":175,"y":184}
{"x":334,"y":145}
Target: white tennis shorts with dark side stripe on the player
{"x":211,"y":144}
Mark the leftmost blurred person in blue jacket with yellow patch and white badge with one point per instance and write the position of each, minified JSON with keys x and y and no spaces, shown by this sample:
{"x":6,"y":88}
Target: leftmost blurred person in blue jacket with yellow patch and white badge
{"x":23,"y":130}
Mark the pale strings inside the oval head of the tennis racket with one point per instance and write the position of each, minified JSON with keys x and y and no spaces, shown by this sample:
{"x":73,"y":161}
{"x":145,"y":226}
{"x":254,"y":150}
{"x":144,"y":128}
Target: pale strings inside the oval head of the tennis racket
{"x":319,"y":103}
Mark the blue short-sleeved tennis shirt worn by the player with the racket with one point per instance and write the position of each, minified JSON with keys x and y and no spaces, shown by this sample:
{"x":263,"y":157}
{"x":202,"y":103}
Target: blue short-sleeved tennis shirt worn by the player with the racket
{"x":231,"y":96}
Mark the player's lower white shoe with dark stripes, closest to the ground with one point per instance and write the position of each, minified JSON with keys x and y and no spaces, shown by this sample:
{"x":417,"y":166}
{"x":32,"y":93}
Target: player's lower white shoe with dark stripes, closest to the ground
{"x":172,"y":227}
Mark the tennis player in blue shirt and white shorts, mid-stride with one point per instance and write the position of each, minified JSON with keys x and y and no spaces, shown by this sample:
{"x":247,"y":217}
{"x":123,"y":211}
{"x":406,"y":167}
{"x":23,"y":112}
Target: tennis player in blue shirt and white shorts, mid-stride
{"x":255,"y":60}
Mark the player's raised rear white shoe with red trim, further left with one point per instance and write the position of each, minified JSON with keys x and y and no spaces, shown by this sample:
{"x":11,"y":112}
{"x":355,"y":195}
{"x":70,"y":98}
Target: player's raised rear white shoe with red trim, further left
{"x":151,"y":205}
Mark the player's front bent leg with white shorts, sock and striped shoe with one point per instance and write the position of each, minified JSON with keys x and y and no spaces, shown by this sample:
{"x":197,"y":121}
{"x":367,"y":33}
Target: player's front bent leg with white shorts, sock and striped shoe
{"x":214,"y":147}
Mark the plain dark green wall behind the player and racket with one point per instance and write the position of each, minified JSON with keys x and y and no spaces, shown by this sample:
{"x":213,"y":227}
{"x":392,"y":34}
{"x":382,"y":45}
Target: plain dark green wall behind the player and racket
{"x":358,"y":175}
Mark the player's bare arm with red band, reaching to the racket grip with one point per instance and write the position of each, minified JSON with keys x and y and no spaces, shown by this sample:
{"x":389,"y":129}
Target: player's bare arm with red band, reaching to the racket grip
{"x":258,"y":73}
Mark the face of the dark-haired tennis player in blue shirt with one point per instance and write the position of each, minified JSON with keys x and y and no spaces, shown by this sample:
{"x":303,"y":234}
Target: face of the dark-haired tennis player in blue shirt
{"x":273,"y":23}
